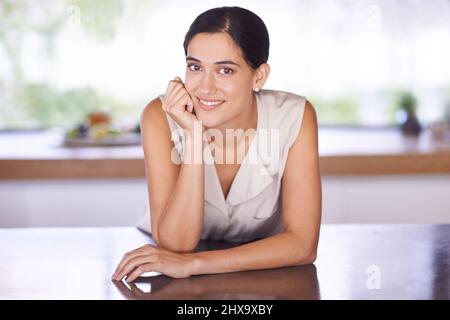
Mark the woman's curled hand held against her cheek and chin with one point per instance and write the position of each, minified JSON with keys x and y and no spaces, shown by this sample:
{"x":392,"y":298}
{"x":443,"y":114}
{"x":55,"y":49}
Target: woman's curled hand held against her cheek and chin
{"x":179,"y":105}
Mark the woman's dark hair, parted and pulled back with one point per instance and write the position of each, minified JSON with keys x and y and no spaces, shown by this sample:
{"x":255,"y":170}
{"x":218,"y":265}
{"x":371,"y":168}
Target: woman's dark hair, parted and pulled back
{"x":246,"y":29}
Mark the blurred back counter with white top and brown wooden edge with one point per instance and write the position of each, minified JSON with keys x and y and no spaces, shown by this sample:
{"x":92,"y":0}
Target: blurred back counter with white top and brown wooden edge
{"x":343,"y":151}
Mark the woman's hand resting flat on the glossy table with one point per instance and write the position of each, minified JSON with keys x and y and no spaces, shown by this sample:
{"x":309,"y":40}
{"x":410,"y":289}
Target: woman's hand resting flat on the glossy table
{"x":150,"y":258}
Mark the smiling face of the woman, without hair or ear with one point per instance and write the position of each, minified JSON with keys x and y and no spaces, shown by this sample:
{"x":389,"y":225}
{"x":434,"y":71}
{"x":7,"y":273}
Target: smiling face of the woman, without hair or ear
{"x":218,"y":78}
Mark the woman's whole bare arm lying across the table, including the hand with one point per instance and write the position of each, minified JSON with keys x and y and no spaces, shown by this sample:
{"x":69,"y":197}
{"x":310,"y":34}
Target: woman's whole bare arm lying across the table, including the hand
{"x":297,"y":245}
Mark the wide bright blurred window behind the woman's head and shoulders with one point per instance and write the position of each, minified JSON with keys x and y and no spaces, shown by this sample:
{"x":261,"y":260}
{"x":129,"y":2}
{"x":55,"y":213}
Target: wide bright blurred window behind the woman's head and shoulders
{"x":60,"y":60}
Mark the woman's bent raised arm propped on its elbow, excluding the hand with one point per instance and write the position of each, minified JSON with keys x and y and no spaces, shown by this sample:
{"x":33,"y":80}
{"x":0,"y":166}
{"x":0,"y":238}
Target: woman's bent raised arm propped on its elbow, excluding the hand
{"x":176,"y":191}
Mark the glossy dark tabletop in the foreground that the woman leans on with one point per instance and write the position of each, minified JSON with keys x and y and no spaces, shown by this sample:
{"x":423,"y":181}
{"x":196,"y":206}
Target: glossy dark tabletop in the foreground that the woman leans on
{"x":354,"y":262}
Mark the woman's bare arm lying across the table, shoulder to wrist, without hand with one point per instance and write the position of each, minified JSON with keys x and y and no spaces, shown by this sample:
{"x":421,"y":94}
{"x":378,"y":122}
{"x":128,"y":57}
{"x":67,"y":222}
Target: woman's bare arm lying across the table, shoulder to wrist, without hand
{"x":301,"y":203}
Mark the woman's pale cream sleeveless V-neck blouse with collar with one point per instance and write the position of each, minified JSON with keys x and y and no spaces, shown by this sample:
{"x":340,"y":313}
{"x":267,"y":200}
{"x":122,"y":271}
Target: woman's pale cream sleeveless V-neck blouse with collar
{"x":252,"y":209}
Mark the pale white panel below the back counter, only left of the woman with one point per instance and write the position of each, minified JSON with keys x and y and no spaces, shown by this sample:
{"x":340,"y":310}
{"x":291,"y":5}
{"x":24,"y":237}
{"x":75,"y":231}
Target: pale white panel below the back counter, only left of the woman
{"x":72,"y":202}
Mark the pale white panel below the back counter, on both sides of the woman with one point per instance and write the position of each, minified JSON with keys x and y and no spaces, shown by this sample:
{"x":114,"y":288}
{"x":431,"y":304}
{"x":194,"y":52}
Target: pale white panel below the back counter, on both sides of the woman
{"x":383,"y":199}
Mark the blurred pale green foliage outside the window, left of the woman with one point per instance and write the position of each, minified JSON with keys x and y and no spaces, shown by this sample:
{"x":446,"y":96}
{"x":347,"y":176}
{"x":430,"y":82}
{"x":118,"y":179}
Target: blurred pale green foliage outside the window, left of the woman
{"x":42,"y":105}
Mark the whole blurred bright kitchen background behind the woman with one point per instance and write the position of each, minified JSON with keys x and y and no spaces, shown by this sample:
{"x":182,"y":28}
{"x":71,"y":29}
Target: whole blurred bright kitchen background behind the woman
{"x":75,"y":76}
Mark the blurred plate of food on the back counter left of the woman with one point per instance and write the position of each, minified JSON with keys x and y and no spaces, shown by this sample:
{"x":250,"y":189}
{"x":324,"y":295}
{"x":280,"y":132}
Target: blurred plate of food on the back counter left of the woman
{"x":98,"y":130}
